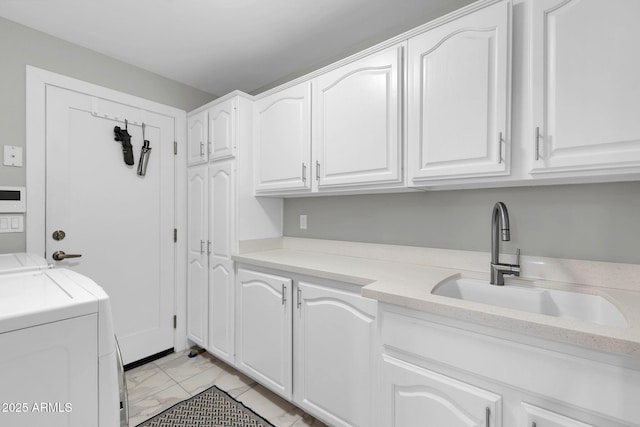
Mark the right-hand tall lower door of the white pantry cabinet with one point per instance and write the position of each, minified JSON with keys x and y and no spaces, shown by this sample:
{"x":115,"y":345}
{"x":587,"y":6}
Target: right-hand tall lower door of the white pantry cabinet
{"x":220,"y":249}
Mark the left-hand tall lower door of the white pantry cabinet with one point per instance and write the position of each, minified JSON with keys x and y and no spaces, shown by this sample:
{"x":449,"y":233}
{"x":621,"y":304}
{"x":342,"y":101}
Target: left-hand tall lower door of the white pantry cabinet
{"x":197,"y":258}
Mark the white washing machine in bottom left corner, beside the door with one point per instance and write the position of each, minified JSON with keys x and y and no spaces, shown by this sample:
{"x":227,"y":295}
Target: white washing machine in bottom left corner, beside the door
{"x":59,"y":360}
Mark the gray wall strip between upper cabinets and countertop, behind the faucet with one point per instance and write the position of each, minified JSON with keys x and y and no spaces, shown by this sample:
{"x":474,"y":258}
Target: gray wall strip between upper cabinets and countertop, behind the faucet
{"x":598,"y":222}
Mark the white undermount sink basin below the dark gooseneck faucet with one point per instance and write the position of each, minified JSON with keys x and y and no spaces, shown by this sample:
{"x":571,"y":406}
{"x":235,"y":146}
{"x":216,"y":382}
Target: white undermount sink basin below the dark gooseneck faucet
{"x":550,"y":302}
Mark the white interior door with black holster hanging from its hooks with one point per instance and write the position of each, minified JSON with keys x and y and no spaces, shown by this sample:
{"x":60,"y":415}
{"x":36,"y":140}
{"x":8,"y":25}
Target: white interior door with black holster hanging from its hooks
{"x":121,"y":223}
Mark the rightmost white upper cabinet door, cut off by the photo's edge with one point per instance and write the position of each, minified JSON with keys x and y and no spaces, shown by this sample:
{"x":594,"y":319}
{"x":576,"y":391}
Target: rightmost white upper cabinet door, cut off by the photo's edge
{"x":586,"y":85}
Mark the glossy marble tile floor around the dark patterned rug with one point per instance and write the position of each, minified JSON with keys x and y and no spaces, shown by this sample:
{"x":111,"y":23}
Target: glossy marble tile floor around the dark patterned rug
{"x":158,"y":385}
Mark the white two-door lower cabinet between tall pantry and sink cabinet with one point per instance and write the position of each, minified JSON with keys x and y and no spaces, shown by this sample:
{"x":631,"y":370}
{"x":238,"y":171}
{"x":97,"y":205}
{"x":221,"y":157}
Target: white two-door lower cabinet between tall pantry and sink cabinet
{"x":309,"y":341}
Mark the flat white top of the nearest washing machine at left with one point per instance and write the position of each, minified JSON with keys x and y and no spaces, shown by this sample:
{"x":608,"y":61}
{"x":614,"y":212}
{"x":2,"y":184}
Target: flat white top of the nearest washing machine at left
{"x":37,"y":297}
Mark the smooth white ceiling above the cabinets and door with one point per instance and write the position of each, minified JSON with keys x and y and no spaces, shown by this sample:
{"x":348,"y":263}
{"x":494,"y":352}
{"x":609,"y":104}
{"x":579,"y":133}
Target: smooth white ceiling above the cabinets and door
{"x":221,"y":45}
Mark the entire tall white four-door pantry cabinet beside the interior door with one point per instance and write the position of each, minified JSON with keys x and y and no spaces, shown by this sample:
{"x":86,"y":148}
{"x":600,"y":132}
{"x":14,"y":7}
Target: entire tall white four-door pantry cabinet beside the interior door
{"x":221,"y":212}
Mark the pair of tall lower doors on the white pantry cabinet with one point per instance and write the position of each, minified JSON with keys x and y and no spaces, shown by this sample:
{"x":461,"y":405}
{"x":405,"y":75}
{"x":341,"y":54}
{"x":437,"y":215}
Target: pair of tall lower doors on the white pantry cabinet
{"x":211,"y":209}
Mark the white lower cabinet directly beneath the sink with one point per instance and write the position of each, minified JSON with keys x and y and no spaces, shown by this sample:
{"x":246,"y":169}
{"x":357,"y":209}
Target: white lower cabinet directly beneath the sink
{"x":438,"y":371}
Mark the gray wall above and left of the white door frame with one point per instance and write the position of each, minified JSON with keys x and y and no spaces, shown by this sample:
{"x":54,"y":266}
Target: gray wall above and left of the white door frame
{"x":21,"y":46}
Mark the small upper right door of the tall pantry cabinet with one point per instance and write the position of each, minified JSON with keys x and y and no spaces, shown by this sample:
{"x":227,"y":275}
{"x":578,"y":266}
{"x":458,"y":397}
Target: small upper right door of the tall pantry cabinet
{"x":222,"y":130}
